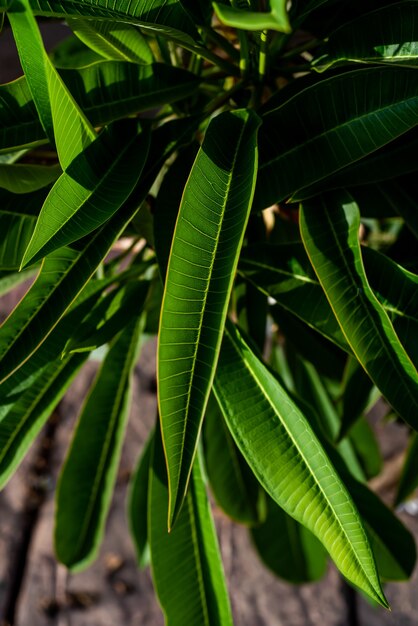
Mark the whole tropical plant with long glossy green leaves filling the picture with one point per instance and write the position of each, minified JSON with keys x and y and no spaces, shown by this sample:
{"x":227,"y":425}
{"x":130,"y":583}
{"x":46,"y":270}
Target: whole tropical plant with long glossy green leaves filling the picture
{"x":259,"y":158}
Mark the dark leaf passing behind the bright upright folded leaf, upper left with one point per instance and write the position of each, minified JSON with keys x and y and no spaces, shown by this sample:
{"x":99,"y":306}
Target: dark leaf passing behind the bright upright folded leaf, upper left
{"x":106,"y":91}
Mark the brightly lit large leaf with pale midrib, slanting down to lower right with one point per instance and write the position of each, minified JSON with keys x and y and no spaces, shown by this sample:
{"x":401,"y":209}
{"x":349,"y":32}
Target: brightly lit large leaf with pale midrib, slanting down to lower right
{"x":288,"y":460}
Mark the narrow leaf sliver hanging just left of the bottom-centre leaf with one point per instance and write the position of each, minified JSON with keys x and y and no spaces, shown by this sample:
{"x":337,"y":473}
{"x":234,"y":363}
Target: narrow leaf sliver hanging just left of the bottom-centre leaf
{"x":137,"y":505}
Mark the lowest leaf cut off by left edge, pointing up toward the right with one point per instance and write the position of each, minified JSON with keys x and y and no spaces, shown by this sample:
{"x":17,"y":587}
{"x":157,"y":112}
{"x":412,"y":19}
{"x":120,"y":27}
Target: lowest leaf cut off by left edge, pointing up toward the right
{"x":20,"y":425}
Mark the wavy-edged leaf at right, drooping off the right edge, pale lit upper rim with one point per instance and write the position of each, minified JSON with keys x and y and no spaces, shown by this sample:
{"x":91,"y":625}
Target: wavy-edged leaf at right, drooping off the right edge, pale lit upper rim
{"x":329,"y":228}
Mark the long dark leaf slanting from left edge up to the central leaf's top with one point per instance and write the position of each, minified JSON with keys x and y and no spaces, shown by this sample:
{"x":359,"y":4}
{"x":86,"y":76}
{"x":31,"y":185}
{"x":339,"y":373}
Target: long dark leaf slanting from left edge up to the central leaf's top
{"x":65,"y":272}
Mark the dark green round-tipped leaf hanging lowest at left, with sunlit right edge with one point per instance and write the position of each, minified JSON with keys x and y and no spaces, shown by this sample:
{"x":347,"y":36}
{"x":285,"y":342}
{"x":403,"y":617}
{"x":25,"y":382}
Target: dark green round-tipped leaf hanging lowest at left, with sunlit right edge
{"x":87,"y":480}
